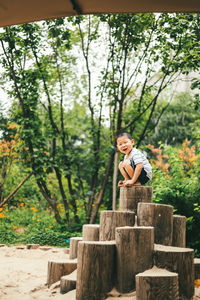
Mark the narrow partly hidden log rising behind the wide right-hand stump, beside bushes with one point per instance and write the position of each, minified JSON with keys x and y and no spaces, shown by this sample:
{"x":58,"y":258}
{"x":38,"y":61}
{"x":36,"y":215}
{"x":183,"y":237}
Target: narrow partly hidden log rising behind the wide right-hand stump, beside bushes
{"x":179,"y":231}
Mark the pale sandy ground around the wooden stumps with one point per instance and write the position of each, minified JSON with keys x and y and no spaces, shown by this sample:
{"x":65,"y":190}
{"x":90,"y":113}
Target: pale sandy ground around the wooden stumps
{"x":23,"y":275}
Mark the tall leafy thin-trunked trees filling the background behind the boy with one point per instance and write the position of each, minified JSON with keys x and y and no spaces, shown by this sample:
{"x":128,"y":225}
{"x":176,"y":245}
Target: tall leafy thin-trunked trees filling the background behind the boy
{"x":76,"y":82}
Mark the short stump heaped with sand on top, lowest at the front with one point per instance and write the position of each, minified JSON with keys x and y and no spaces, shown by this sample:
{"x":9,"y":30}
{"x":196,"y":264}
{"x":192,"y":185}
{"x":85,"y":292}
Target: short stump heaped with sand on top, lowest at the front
{"x":157,"y":284}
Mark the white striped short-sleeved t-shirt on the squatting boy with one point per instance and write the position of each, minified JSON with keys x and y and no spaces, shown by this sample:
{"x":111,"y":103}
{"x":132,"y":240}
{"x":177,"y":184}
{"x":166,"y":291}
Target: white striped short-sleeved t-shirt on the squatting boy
{"x":138,"y":157}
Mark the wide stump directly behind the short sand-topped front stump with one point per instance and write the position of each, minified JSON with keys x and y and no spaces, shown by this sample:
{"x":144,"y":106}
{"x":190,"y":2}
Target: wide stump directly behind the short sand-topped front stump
{"x":181,"y":261}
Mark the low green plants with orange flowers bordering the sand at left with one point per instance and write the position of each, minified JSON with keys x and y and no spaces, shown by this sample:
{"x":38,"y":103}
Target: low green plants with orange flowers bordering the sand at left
{"x":27,"y":226}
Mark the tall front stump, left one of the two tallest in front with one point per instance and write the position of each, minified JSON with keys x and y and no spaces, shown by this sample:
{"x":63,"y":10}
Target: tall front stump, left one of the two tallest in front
{"x":96,"y":268}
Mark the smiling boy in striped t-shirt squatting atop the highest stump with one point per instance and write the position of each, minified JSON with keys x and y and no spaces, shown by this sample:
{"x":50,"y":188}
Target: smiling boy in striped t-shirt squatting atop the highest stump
{"x":135,"y":167}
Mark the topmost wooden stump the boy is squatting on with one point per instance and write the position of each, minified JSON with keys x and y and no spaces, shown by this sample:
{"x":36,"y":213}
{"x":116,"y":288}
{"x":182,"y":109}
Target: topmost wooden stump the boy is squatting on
{"x":131,"y":196}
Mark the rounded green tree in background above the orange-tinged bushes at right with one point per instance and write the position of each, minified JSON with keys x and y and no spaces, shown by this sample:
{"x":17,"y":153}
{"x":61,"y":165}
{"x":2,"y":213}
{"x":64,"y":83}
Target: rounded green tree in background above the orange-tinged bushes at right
{"x":178,"y":122}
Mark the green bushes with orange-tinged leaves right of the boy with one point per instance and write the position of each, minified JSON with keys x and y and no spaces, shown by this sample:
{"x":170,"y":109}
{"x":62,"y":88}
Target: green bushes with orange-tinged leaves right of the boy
{"x":178,"y":185}
